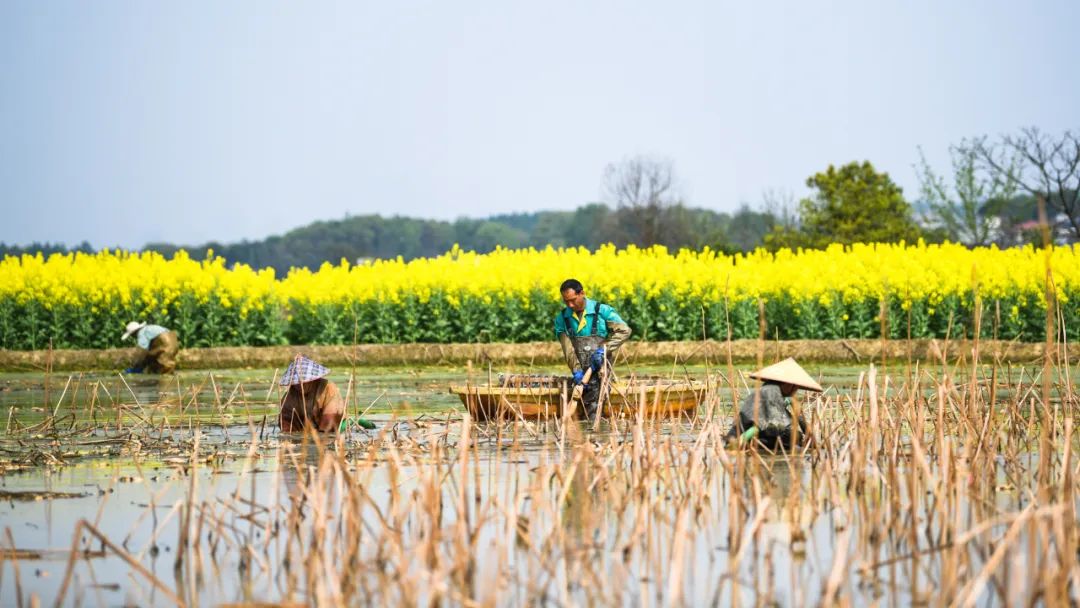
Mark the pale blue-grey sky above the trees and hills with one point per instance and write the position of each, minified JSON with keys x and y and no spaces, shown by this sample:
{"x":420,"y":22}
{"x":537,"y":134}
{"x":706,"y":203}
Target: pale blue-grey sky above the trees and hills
{"x":129,"y":123}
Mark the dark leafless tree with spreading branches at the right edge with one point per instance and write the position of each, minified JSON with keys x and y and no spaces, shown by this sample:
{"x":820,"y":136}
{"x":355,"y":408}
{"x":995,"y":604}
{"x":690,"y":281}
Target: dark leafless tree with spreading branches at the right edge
{"x":1050,"y":169}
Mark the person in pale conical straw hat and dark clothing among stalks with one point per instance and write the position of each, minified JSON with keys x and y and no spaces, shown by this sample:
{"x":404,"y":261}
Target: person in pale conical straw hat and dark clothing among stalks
{"x":766,"y":409}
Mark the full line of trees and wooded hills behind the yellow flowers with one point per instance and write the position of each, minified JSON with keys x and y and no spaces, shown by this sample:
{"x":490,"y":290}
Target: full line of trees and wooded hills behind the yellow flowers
{"x":994,"y":194}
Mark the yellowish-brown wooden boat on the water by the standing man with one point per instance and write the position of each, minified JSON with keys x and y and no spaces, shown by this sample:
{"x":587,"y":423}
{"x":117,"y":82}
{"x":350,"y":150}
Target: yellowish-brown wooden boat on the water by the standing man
{"x":537,"y":398}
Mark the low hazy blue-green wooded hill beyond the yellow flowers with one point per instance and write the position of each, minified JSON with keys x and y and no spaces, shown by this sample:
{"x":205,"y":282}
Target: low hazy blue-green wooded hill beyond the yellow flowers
{"x":376,"y":237}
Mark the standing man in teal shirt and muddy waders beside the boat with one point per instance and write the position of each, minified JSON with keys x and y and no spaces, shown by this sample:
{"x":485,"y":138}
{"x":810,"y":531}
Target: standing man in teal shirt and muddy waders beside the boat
{"x":590,"y":334}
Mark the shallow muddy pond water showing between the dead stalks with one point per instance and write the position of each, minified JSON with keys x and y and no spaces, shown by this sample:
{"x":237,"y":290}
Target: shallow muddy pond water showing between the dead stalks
{"x":123,"y":456}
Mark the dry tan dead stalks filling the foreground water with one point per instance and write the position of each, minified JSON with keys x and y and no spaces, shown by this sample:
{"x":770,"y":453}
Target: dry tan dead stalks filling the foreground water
{"x":937,"y":483}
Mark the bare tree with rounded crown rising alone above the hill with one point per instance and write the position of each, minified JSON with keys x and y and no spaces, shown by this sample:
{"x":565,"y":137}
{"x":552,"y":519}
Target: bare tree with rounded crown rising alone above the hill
{"x":643,"y":190}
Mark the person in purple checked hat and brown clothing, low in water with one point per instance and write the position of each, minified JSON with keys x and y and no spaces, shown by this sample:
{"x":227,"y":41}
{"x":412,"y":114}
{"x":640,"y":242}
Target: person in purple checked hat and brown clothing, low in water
{"x":312,"y":399}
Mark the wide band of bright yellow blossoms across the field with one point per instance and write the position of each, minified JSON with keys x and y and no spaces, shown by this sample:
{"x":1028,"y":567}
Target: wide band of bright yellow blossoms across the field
{"x":929,"y":275}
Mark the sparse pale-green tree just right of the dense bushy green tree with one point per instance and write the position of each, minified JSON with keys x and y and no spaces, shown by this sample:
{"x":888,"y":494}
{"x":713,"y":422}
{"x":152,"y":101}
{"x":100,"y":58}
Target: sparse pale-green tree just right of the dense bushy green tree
{"x":968,"y":209}
